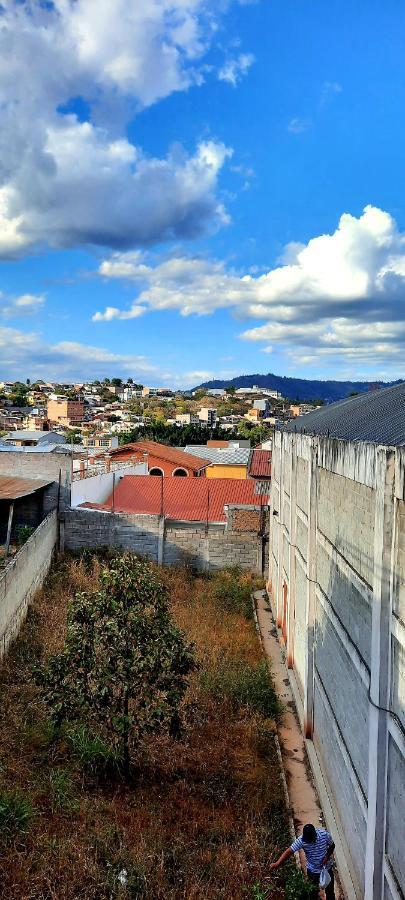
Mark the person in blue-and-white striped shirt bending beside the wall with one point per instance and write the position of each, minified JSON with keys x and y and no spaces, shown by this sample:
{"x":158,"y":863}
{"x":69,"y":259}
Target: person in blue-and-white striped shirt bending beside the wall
{"x":318,"y":847}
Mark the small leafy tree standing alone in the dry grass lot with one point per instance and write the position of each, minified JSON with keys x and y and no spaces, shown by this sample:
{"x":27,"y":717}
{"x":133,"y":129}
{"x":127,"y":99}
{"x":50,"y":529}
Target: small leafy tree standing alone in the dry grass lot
{"x":124,"y":666}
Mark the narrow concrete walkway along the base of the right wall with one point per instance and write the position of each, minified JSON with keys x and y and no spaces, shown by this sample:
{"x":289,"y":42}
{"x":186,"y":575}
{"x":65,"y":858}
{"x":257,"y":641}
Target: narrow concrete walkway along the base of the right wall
{"x":304,"y":802}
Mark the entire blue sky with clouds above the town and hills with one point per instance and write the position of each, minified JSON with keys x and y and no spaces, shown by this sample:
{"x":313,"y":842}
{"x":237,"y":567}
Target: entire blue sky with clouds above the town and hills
{"x":200,"y":189}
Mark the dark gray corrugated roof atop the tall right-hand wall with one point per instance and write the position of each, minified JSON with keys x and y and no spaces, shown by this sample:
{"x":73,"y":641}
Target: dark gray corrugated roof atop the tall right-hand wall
{"x":376,"y":416}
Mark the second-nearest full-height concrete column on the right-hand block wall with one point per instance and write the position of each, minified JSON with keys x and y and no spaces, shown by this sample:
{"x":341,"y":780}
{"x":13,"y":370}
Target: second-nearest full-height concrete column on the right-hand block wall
{"x":311,"y":592}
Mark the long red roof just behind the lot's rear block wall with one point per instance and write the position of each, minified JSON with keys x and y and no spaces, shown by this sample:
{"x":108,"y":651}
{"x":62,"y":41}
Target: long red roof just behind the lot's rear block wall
{"x":181,"y":498}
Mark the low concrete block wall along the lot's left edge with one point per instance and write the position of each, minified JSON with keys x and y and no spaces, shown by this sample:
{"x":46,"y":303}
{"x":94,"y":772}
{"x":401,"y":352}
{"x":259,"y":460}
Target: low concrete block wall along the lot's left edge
{"x":23,"y":576}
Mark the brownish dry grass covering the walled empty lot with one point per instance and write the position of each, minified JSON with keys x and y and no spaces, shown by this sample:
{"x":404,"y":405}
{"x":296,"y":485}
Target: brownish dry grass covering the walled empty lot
{"x":203,"y":815}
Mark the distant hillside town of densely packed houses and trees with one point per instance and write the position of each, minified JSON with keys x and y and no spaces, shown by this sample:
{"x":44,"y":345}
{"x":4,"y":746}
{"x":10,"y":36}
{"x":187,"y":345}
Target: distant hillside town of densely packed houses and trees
{"x":99,"y":415}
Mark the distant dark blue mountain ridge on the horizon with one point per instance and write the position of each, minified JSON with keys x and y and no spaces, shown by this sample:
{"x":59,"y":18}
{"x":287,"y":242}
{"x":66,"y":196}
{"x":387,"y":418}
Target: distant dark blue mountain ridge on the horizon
{"x":298,"y":388}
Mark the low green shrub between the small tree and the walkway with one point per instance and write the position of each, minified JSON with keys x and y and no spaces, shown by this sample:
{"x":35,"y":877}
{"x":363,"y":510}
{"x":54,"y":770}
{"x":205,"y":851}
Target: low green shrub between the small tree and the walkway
{"x":243,"y":685}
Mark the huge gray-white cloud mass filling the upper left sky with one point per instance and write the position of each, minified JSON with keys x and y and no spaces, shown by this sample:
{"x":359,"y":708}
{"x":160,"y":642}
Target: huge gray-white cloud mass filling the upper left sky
{"x":67,"y":180}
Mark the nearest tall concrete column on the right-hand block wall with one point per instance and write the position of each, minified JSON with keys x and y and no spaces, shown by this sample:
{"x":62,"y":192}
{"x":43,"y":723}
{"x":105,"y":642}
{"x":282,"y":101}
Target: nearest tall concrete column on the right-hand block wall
{"x":383,"y":576}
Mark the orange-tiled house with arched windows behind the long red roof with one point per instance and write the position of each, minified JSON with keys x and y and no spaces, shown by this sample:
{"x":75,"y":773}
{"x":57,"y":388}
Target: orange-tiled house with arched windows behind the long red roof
{"x":162,"y":460}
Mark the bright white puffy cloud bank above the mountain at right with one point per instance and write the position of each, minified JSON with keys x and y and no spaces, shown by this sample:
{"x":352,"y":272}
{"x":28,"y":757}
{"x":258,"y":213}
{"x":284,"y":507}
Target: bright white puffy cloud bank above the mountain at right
{"x":340,"y":296}
